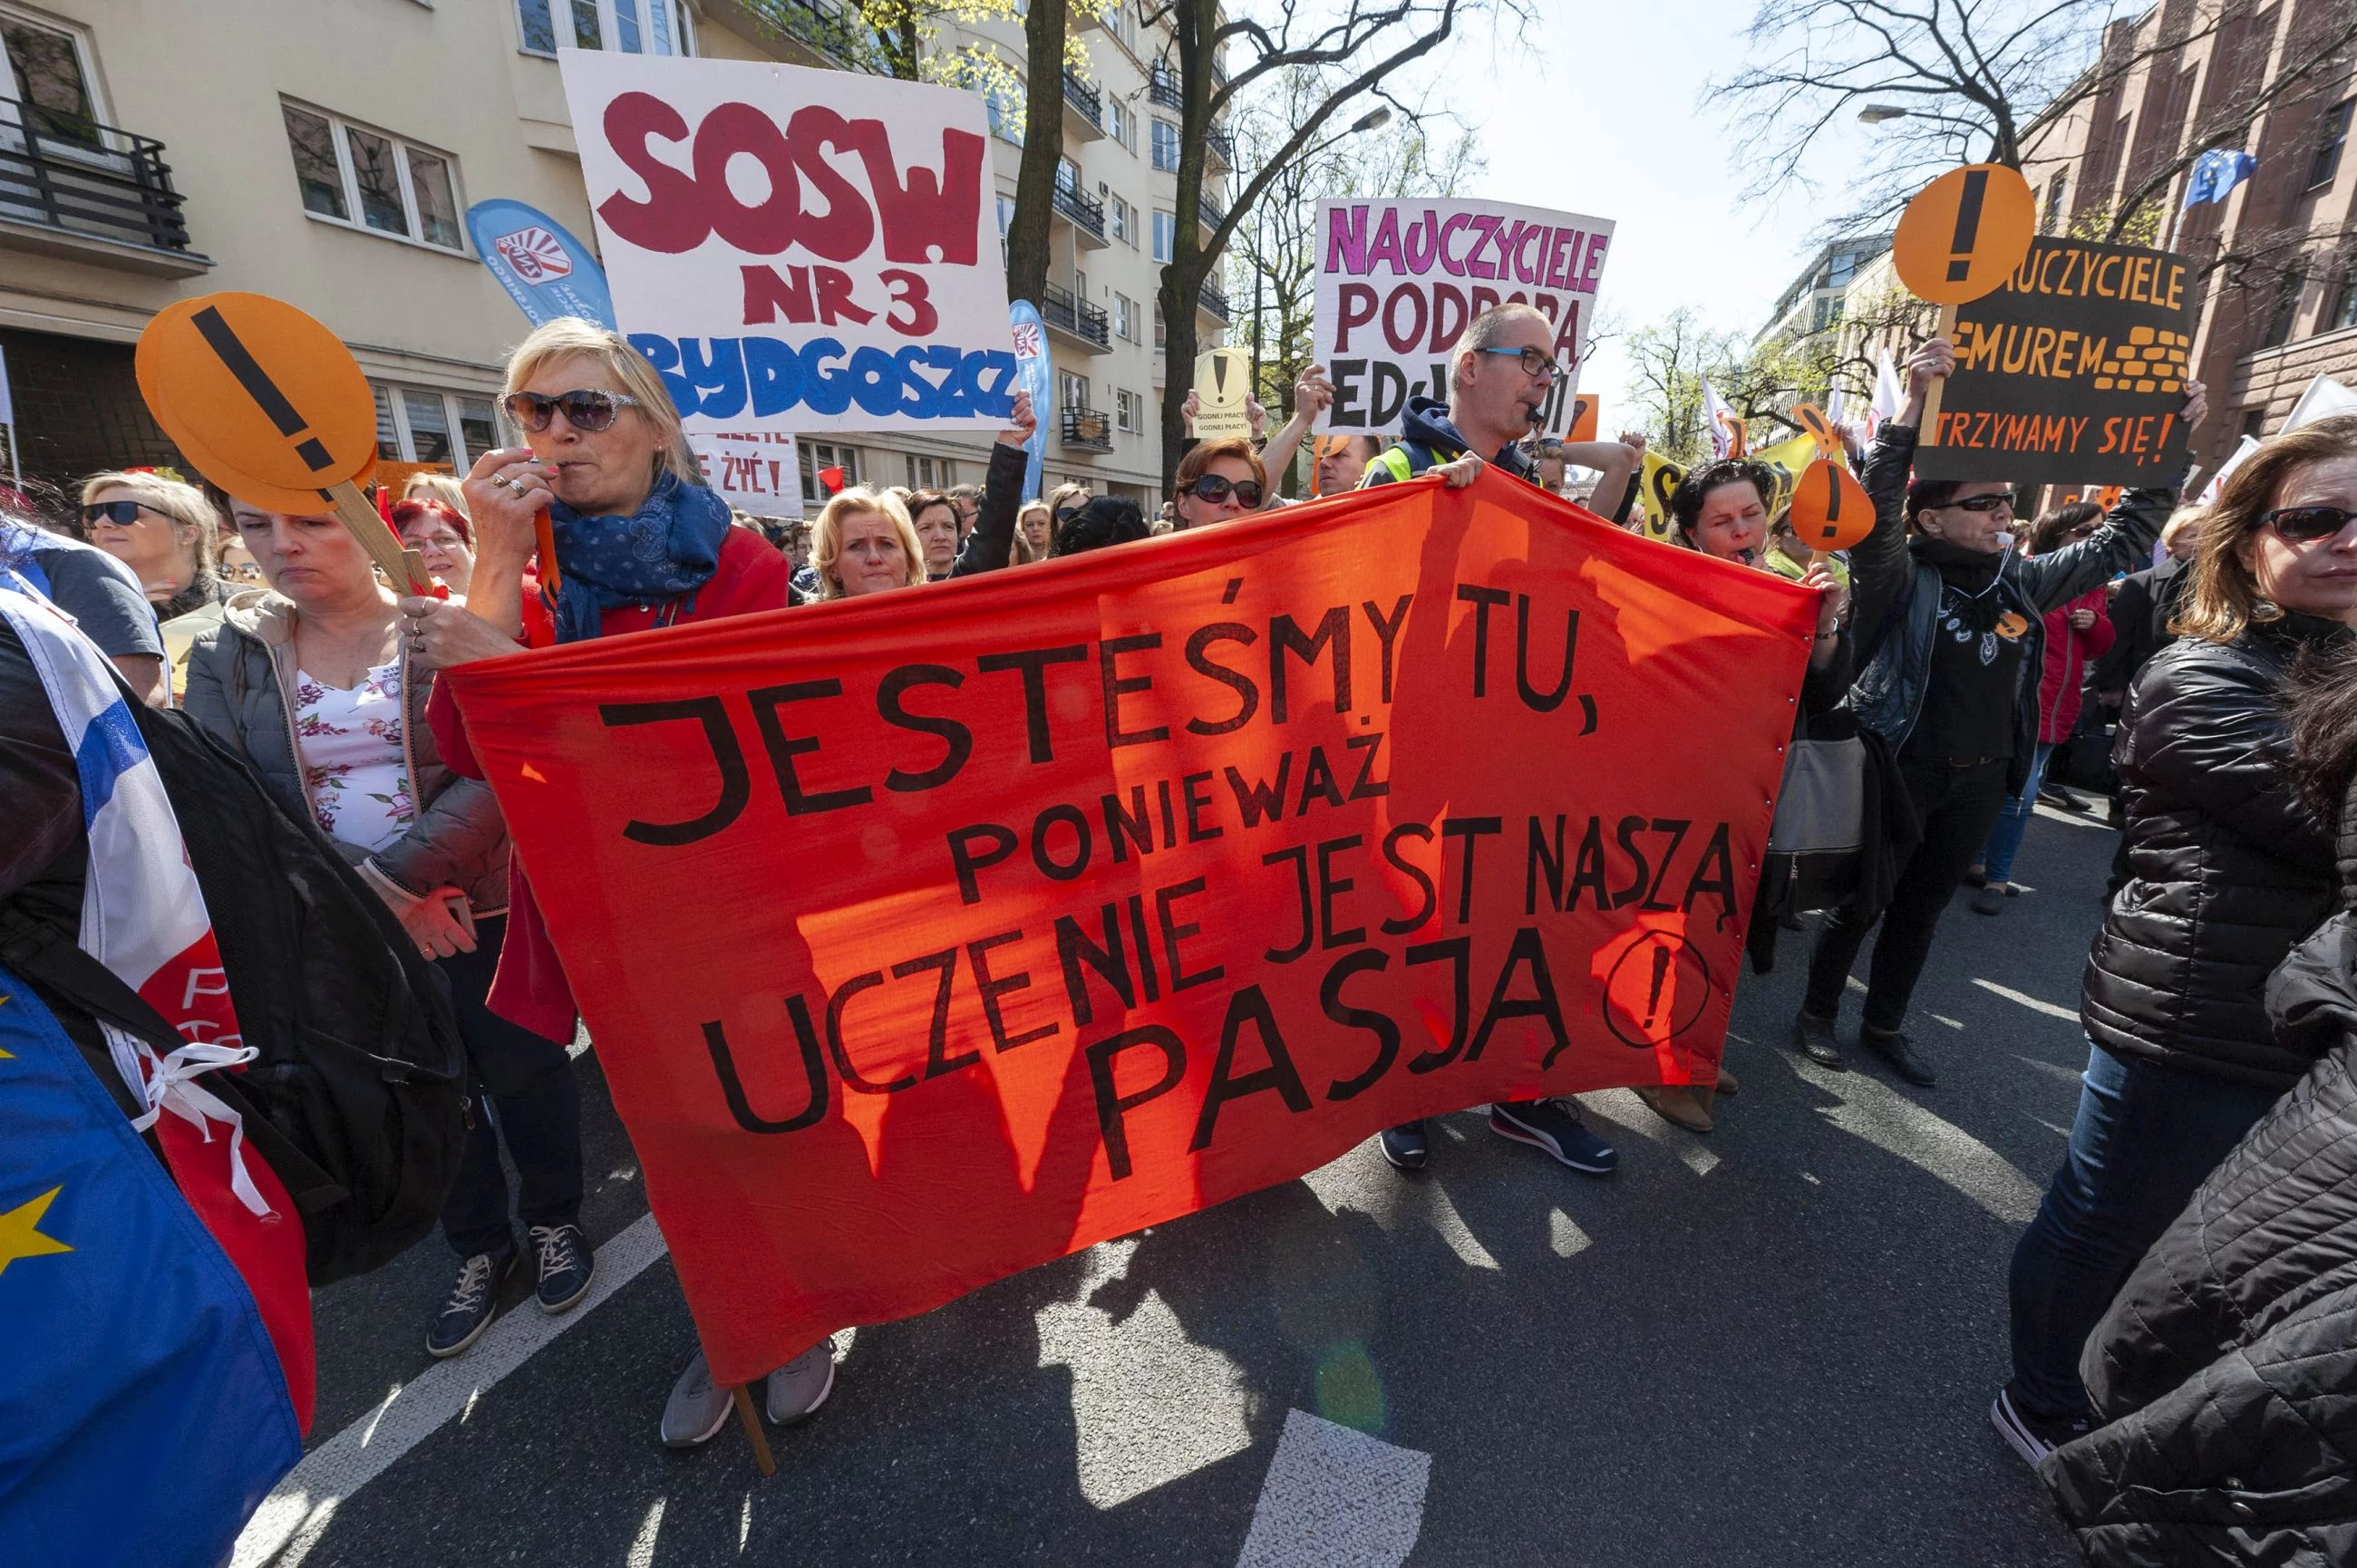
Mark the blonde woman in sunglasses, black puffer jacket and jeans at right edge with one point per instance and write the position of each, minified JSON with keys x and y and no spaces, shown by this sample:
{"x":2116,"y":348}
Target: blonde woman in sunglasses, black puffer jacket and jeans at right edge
{"x":2229,"y":869}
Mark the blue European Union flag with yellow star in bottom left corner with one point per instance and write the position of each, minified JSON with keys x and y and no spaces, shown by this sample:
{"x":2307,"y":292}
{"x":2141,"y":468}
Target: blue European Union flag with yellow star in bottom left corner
{"x":143,"y":1409}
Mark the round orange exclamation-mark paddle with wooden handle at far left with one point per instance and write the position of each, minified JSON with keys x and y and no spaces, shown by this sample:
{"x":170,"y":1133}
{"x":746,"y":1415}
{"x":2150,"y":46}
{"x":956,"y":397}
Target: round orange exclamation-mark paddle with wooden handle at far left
{"x":272,"y":407}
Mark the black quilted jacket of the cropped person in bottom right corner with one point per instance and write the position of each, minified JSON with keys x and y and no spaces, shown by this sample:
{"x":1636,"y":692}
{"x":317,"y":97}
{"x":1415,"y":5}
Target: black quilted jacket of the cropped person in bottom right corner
{"x":2229,"y":1362}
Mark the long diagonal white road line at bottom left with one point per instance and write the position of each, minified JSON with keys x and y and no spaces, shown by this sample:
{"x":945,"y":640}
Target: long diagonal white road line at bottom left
{"x":298,"y":1510}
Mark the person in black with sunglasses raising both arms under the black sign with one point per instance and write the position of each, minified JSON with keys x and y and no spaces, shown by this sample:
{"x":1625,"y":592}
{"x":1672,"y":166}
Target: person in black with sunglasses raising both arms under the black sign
{"x":1953,"y":643}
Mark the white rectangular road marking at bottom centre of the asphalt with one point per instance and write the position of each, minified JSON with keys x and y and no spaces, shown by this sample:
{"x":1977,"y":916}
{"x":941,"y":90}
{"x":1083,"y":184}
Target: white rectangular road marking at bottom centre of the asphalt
{"x":1338,"y":1498}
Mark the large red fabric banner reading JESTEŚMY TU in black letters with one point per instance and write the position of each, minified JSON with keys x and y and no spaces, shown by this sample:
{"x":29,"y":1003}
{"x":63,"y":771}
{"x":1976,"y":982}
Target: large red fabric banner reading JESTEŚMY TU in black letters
{"x":937,"y":935}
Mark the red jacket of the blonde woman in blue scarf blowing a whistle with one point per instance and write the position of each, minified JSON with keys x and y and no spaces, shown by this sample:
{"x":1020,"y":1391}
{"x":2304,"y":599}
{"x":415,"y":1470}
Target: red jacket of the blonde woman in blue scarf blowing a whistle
{"x":529,"y":987}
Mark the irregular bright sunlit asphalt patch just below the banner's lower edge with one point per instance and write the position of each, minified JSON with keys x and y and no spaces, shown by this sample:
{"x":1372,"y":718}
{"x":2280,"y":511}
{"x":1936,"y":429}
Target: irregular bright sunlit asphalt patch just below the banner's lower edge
{"x":1149,"y":1404}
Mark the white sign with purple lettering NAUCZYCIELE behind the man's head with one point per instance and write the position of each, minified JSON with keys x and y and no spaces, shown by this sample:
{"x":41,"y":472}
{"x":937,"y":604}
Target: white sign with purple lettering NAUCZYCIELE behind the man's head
{"x":1399,"y":279}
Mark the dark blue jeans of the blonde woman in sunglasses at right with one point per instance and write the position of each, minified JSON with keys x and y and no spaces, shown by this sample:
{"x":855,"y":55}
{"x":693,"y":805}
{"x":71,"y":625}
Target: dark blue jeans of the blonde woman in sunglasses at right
{"x":2144,"y":1140}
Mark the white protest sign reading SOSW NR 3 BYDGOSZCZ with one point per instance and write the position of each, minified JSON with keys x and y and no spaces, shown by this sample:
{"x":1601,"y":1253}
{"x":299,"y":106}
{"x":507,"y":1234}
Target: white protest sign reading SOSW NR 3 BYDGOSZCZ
{"x":798,"y":251}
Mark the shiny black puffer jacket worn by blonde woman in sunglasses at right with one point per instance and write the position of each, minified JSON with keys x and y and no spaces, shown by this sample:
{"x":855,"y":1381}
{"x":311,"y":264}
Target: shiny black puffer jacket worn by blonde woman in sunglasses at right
{"x":2229,"y":869}
